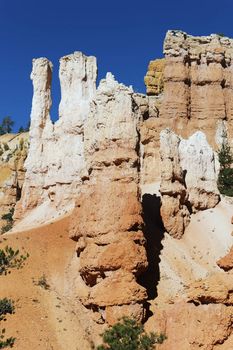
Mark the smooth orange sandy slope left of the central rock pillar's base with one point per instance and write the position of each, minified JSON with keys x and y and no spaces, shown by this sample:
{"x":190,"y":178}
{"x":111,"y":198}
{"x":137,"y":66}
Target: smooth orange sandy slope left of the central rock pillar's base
{"x":44,"y":319}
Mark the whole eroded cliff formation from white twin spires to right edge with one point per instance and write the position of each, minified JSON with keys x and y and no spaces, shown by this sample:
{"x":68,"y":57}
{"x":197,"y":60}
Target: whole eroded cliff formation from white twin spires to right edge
{"x":109,"y":141}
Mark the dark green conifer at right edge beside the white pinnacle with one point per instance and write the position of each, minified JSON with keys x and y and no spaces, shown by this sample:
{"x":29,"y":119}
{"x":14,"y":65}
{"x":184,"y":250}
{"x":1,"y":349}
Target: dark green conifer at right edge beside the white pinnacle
{"x":225,"y":176}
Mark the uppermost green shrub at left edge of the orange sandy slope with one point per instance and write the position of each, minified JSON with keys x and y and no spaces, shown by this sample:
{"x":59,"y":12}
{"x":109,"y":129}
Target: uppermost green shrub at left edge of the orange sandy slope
{"x":10,"y":258}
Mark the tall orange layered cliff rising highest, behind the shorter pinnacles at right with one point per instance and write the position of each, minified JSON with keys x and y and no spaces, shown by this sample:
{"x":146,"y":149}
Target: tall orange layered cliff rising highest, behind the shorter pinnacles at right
{"x":197,"y":96}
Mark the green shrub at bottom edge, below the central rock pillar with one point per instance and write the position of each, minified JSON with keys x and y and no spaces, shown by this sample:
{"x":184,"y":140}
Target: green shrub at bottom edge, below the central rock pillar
{"x":129,"y":335}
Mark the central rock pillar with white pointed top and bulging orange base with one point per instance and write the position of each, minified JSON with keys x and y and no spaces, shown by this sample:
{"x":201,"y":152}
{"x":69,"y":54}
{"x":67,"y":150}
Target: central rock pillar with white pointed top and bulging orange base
{"x":107,"y":220}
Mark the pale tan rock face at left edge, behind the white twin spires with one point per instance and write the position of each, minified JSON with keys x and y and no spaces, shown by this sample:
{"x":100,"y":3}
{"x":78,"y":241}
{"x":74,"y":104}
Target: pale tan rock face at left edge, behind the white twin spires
{"x":13,"y":149}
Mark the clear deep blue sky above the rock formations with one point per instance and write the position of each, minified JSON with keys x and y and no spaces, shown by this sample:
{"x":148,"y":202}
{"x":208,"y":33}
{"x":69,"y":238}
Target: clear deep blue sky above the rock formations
{"x":123,"y":34}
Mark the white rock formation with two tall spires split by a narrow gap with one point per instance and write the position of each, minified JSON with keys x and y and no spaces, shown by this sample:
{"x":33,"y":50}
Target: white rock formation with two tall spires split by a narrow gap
{"x":55,"y":164}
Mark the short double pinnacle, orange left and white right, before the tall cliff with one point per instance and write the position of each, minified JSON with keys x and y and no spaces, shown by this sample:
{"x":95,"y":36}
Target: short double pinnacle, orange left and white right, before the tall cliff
{"x":188,"y":179}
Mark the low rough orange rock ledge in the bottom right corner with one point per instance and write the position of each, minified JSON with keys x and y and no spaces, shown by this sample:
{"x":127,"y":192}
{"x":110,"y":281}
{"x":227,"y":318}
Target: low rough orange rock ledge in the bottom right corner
{"x":190,"y":327}
